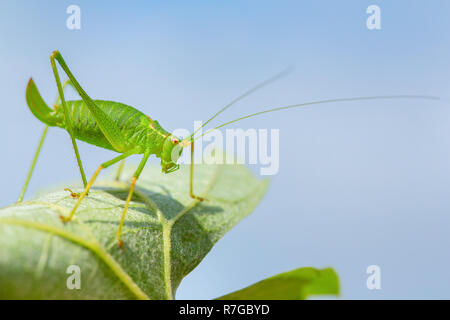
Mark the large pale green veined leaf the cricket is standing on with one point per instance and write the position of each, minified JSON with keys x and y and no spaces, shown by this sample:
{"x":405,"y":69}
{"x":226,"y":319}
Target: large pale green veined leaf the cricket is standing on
{"x":166,"y":235}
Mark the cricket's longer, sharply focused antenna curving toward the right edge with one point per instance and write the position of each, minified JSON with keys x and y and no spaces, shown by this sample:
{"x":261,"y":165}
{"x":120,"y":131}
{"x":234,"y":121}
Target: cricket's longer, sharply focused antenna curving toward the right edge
{"x":321,"y":102}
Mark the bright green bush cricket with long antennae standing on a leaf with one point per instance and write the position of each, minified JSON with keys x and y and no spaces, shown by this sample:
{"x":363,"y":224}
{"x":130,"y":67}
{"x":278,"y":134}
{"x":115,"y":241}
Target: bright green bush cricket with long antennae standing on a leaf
{"x":124,"y":129}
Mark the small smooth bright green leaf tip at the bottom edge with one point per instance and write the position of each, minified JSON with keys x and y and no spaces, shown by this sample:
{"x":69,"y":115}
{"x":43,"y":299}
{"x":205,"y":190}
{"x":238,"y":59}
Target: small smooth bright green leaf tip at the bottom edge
{"x":297,"y":284}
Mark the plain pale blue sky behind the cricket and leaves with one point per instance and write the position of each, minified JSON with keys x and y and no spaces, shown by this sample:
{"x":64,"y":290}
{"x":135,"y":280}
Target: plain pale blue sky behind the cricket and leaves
{"x":359,"y":183}
